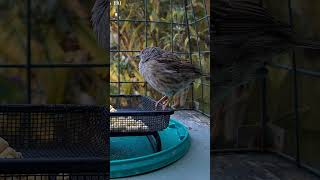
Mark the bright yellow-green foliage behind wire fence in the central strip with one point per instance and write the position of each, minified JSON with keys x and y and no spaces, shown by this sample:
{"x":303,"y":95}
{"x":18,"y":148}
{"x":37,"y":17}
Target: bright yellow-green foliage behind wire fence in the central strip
{"x":181,"y":26}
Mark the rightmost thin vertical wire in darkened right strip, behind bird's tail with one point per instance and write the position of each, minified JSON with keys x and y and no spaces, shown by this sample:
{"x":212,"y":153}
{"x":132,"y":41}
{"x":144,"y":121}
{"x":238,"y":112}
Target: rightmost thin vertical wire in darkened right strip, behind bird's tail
{"x":295,"y":92}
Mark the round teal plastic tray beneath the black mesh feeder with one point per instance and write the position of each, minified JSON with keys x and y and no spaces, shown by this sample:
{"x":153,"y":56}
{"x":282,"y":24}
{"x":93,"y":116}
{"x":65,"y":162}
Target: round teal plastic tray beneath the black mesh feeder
{"x":134,"y":155}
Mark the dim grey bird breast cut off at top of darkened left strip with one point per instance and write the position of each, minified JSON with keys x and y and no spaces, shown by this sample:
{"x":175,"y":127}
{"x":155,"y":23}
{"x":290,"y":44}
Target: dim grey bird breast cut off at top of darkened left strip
{"x":99,"y":19}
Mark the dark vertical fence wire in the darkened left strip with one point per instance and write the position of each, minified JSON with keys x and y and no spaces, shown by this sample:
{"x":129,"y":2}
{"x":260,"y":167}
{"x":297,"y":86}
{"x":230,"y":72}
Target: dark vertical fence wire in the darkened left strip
{"x":29,"y":51}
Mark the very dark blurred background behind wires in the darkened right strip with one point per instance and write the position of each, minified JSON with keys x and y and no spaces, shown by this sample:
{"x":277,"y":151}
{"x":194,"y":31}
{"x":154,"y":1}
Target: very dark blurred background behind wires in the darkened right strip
{"x":241,"y":126}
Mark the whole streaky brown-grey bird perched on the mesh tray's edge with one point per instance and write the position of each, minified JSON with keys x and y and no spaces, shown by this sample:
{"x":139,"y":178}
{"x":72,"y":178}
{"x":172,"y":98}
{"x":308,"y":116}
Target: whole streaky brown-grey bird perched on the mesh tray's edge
{"x":166,"y":73}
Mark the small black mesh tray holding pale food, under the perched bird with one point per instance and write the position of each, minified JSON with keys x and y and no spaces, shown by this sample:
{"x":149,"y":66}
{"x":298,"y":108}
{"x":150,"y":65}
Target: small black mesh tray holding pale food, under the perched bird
{"x":136,"y":114}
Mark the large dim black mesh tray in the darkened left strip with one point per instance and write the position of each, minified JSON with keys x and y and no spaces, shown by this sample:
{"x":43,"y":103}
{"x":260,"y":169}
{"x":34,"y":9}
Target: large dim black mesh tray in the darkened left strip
{"x":54,"y":138}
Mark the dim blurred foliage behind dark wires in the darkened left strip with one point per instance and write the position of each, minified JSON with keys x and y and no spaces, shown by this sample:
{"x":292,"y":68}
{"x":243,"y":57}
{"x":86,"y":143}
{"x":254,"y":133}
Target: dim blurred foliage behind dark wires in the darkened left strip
{"x":64,"y":63}
